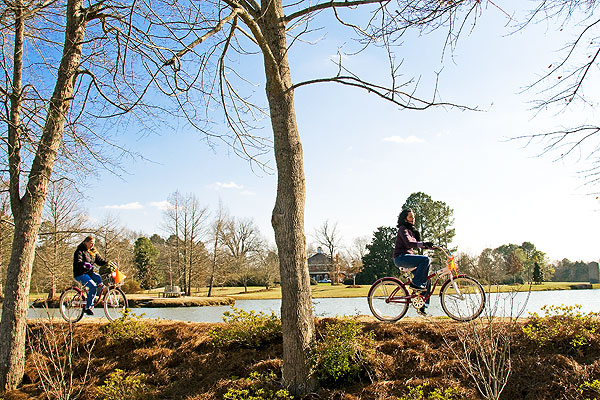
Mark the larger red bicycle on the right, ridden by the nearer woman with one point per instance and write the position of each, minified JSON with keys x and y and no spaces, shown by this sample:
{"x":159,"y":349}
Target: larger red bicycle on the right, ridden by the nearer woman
{"x":461,"y":296}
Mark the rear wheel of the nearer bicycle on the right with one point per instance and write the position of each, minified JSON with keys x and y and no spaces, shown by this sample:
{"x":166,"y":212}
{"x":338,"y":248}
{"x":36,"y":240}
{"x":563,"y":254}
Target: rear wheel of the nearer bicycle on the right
{"x":388,"y":300}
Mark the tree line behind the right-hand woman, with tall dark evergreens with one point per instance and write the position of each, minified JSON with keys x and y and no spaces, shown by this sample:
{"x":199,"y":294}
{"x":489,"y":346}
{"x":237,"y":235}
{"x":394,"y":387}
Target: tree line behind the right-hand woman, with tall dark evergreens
{"x":505,"y":264}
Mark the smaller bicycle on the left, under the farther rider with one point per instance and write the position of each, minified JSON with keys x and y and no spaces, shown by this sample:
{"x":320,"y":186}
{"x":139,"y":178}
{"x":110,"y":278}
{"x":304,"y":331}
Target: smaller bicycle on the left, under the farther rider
{"x":73,"y":299}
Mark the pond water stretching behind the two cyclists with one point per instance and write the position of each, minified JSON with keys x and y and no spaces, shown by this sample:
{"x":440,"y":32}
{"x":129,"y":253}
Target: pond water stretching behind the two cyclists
{"x":501,"y":304}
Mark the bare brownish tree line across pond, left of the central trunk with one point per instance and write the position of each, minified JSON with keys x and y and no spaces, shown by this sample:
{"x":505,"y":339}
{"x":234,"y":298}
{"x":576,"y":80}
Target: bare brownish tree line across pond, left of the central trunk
{"x":196,"y":248}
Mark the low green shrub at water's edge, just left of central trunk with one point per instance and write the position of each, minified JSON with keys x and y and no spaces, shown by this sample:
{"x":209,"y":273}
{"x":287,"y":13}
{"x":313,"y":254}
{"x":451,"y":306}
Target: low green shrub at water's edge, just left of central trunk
{"x":246,"y":329}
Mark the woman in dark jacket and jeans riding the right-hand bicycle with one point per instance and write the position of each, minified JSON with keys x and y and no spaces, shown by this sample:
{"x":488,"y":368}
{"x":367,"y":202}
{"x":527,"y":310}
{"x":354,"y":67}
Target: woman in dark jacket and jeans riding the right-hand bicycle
{"x":407,"y":239}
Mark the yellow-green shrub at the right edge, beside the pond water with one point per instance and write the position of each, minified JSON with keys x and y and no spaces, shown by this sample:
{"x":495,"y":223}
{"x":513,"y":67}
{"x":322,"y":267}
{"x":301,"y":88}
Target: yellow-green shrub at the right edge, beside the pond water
{"x":562,"y":323}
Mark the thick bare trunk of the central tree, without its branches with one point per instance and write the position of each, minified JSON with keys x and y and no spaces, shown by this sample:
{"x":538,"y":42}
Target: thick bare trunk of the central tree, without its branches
{"x":288,"y":214}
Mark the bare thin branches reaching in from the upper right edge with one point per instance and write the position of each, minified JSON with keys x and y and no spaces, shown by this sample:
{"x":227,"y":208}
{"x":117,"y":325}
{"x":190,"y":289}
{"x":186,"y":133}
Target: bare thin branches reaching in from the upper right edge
{"x":566,"y":82}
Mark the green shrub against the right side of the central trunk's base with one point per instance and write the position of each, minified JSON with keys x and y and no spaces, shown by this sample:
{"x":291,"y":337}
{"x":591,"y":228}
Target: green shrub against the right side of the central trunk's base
{"x":342,"y":353}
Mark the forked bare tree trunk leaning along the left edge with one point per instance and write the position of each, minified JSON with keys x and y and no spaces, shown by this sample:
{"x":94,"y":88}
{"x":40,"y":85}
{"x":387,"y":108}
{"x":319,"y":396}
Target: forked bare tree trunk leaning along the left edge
{"x":27,"y":211}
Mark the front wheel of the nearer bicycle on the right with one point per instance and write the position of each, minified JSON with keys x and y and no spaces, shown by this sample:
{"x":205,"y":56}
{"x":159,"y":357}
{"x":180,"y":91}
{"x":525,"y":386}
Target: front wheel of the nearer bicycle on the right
{"x":462,"y":298}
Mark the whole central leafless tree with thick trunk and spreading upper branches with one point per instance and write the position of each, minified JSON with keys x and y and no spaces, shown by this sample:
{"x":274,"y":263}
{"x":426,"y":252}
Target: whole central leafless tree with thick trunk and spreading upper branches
{"x":243,"y":28}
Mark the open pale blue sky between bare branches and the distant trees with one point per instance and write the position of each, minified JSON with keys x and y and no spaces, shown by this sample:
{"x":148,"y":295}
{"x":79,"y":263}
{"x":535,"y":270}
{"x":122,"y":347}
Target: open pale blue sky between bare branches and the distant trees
{"x":364,"y":157}
